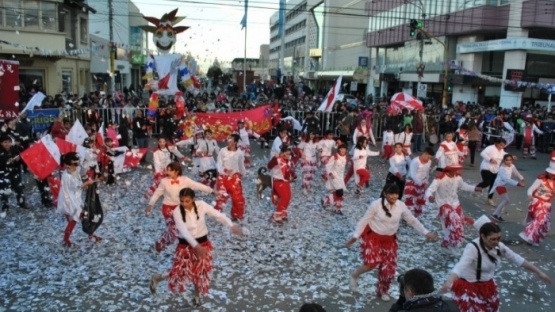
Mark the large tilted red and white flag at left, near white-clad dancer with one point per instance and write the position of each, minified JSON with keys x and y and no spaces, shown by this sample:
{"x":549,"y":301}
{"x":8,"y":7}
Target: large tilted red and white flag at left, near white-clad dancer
{"x":42,"y":158}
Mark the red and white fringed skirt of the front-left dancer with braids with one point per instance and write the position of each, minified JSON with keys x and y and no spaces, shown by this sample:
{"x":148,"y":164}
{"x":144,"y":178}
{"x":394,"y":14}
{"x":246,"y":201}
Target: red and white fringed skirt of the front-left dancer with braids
{"x":189,"y":268}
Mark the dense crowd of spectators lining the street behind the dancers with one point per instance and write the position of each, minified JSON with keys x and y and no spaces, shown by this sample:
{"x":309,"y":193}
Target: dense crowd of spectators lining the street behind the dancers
{"x":296,"y":99}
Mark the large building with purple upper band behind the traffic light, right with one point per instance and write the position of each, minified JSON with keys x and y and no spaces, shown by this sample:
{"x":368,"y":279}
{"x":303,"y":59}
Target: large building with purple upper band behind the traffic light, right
{"x":484,"y":40}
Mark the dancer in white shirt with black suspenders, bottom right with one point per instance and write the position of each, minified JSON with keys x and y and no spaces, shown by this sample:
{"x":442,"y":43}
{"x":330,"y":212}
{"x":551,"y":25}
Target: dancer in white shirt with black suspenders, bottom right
{"x":471,"y":280}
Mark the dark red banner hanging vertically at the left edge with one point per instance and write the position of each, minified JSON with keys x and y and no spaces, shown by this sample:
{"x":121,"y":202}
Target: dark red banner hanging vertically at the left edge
{"x":9,"y":89}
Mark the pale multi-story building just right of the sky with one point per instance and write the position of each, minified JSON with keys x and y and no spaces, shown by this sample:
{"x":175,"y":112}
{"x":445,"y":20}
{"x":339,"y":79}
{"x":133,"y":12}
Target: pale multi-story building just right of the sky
{"x":322,"y":41}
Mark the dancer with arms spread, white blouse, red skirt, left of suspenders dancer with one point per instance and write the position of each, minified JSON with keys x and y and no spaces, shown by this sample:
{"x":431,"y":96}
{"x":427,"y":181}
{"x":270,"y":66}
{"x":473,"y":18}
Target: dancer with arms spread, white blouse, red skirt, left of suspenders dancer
{"x":377,"y":230}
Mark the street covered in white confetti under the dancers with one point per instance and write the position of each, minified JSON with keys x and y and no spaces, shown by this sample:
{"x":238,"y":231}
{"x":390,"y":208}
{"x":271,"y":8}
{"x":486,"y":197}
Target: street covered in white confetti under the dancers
{"x":274,"y":268}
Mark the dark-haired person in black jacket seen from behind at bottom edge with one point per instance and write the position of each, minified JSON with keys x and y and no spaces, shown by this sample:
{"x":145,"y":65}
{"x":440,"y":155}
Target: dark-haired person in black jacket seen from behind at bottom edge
{"x":417,"y":294}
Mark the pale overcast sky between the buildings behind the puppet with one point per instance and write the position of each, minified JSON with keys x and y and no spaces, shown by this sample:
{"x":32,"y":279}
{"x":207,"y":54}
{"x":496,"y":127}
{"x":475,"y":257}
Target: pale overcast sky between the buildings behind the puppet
{"x":215,"y":27}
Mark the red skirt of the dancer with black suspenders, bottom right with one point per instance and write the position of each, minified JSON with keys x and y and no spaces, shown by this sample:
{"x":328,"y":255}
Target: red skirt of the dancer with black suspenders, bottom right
{"x":477,"y":296}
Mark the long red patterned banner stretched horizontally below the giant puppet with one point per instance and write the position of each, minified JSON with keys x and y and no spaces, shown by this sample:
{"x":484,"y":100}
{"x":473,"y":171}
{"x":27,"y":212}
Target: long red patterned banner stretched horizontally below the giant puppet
{"x":222,"y":125}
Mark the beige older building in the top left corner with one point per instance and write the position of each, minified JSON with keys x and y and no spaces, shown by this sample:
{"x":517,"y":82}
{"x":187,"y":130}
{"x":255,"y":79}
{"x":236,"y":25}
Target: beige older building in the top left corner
{"x":50,"y":39}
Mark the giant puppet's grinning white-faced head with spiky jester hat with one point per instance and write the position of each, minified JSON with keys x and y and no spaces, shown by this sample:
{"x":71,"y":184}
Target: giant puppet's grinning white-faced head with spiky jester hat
{"x":163,"y":30}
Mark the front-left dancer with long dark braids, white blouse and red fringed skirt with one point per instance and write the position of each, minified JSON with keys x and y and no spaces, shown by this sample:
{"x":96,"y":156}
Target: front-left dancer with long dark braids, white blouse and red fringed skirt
{"x":193,"y":256}
